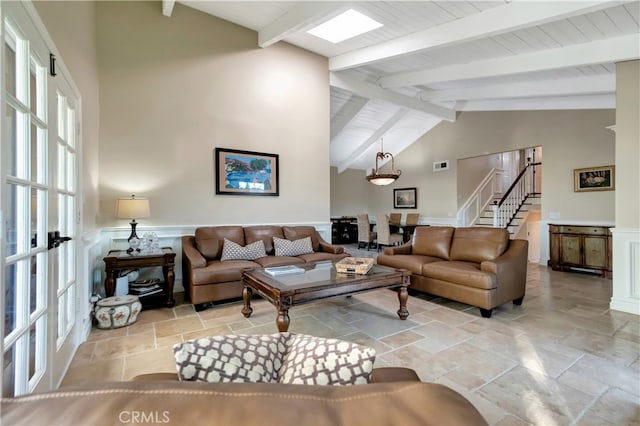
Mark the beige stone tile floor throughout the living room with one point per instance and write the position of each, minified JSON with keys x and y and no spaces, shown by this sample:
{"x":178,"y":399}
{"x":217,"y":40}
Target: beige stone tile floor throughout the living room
{"x":561,"y":358}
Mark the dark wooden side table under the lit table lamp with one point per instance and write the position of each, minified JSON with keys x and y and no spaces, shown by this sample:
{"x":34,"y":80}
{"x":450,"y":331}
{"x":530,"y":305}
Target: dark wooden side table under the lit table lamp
{"x":117,"y":261}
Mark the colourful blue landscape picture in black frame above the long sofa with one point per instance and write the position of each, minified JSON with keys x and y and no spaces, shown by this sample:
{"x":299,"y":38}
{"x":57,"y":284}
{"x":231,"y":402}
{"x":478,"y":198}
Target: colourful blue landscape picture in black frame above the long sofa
{"x":246,"y":172}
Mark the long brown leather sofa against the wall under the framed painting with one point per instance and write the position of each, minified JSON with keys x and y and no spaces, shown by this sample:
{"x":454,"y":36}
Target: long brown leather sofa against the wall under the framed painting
{"x":206,"y":278}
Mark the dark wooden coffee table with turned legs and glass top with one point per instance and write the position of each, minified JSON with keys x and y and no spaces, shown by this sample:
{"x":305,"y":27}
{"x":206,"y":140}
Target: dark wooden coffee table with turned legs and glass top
{"x":319,"y":281}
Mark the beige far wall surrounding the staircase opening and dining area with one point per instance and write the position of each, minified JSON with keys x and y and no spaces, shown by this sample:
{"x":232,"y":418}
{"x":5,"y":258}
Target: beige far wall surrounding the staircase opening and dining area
{"x":570,"y":139}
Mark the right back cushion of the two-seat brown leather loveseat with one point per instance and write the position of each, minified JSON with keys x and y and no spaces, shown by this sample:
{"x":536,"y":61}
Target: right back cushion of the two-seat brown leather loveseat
{"x":478,"y":244}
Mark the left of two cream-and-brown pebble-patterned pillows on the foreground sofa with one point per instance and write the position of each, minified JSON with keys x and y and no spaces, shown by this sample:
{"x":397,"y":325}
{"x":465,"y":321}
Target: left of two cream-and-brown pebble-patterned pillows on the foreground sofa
{"x":231,"y":358}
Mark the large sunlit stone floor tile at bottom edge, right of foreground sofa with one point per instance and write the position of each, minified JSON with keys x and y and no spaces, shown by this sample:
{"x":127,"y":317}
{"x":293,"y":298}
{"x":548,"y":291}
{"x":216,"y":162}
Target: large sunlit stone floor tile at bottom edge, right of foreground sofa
{"x":536,"y":398}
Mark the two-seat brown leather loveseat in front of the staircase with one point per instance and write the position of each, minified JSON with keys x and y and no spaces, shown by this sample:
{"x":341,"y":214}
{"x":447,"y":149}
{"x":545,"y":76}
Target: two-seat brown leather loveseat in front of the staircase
{"x":478,"y":266}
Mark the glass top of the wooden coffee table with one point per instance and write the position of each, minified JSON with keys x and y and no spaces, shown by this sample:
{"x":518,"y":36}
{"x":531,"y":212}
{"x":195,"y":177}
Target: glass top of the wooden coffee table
{"x":318,"y":275}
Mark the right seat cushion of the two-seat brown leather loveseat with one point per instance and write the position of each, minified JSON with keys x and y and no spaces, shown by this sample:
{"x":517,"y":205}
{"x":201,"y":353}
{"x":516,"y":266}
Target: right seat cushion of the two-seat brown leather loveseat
{"x":464,"y":273}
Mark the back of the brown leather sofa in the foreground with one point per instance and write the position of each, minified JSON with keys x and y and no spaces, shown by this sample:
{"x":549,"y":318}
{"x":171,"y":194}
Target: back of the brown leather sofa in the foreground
{"x":394,"y":396}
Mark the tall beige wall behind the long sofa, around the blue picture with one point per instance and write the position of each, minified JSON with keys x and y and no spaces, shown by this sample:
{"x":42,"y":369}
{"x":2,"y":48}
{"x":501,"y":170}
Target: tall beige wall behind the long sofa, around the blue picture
{"x":173,"y":89}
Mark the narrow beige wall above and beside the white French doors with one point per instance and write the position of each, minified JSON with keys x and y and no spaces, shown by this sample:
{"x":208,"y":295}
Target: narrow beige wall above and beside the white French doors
{"x":72,"y":26}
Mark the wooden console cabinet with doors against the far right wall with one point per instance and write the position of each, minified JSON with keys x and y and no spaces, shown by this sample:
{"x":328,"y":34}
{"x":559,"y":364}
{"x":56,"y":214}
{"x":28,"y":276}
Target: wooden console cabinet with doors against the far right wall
{"x":579,"y":246}
